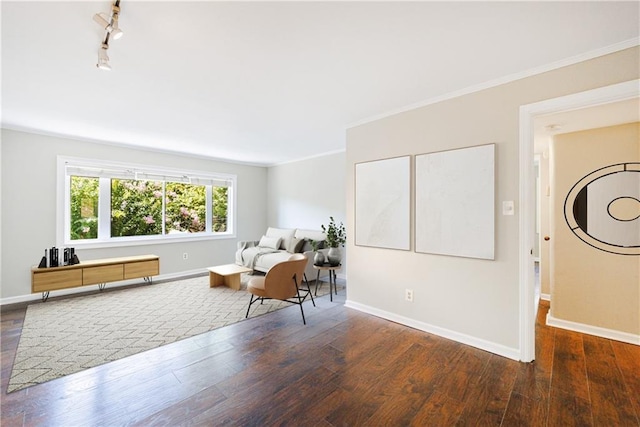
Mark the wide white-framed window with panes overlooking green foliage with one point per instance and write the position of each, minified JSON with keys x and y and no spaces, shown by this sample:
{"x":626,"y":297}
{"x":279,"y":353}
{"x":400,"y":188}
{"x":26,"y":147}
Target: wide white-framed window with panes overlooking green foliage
{"x":108,"y":203}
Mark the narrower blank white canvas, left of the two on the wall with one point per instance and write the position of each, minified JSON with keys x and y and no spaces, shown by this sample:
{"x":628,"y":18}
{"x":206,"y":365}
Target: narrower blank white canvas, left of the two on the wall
{"x":382,"y":210}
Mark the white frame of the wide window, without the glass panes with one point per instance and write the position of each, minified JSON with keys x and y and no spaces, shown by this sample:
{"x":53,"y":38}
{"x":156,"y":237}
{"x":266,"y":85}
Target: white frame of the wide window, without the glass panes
{"x":63,"y":208}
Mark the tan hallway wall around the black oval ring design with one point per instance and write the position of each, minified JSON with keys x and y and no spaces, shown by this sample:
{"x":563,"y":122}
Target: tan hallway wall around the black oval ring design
{"x":590,"y":286}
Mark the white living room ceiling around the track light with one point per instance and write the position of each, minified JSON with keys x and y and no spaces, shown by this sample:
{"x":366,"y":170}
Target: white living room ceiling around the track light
{"x":271,"y":82}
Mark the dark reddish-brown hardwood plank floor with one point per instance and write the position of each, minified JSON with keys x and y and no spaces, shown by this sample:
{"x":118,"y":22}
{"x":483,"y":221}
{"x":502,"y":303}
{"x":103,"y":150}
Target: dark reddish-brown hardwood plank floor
{"x":344,"y":368}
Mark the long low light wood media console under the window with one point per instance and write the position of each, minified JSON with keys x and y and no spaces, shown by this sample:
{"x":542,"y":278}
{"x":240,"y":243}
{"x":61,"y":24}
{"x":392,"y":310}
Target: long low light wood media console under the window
{"x":93,"y":272}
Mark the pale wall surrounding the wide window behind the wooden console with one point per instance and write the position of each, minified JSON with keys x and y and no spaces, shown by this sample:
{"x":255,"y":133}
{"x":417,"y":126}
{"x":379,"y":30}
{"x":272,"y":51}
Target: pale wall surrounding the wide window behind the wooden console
{"x":28,"y":211}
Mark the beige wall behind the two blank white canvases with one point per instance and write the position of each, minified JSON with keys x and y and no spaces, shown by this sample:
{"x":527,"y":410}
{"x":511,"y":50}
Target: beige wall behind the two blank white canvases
{"x":475,"y":301}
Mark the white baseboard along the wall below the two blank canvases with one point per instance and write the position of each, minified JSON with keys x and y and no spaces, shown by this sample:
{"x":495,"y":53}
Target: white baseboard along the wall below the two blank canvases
{"x":489,"y":346}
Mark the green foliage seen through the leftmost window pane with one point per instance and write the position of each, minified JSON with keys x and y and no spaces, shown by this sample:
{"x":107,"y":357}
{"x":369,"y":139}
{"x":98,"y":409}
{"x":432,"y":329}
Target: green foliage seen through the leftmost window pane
{"x":84,"y":207}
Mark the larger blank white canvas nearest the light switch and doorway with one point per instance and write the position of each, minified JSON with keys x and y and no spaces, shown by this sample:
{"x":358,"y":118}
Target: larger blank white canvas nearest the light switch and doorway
{"x":455,"y":202}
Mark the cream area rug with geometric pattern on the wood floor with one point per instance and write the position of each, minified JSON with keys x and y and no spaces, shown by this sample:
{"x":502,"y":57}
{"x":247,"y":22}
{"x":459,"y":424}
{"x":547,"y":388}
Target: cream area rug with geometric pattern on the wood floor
{"x":61,"y":337}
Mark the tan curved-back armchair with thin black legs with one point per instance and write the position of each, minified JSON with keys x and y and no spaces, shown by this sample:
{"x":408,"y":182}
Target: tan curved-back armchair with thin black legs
{"x":283,"y":282}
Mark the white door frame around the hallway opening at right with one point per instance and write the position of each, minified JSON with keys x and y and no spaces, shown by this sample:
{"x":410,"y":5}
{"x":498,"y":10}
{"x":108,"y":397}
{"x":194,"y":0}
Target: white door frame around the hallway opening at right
{"x":528,"y":113}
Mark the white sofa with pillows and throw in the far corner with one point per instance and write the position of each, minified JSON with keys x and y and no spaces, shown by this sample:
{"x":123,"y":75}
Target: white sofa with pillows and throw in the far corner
{"x":277,"y":245}
